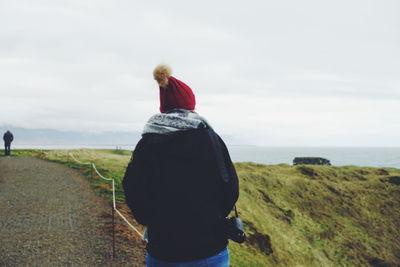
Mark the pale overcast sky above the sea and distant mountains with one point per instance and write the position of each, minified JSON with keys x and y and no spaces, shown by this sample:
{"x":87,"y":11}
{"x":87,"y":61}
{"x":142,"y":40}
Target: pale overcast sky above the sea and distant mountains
{"x":273,"y":73}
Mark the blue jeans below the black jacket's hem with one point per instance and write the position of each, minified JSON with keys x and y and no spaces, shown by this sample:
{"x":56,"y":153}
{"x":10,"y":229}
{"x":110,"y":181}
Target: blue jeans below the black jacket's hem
{"x":219,"y":260}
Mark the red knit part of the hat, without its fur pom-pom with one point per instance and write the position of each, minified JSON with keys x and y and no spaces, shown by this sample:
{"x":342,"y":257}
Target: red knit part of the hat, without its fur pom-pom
{"x":176,"y":95}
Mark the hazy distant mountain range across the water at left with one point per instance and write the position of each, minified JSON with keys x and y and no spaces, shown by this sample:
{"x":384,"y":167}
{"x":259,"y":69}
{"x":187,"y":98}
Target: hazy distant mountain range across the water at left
{"x":24,"y":136}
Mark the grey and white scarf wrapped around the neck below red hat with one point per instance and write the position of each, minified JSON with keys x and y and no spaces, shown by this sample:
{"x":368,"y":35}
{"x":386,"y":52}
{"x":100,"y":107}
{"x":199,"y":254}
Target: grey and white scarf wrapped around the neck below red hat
{"x":173,"y":121}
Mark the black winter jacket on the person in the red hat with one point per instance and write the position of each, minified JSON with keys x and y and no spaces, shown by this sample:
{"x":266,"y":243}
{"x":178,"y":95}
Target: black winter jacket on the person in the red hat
{"x":174,"y":186}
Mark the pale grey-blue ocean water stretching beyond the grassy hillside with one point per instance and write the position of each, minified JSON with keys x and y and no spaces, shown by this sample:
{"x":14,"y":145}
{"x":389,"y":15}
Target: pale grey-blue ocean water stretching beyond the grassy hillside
{"x":339,"y":156}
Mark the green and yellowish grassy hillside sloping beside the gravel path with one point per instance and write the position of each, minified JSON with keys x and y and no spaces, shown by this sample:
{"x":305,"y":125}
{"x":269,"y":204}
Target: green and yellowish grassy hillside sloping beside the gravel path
{"x":300,"y":215}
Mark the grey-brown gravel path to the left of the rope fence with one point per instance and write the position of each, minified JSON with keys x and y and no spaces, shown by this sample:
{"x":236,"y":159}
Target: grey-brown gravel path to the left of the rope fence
{"x":49,"y":216}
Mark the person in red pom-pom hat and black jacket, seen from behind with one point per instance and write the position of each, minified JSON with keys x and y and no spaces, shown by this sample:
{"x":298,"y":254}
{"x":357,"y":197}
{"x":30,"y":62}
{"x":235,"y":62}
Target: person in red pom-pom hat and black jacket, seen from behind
{"x":181,"y":182}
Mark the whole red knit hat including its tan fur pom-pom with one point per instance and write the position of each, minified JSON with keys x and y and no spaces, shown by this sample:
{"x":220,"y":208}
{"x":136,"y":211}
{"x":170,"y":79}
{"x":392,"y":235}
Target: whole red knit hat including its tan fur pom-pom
{"x":173,"y":92}
